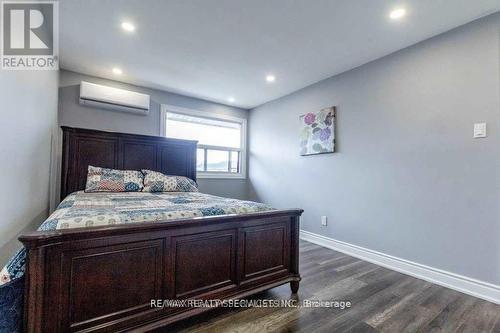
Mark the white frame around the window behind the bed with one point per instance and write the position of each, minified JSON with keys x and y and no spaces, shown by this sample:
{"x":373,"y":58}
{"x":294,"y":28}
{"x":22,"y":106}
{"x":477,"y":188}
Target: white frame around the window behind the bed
{"x":210,"y":115}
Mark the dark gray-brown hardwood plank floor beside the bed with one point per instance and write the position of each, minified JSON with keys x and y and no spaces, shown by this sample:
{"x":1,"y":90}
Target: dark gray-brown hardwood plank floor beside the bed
{"x":382,"y":301}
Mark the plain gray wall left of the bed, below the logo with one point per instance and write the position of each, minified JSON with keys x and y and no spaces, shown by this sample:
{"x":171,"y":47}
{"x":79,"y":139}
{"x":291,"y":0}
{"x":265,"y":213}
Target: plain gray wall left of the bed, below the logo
{"x":29,"y":115}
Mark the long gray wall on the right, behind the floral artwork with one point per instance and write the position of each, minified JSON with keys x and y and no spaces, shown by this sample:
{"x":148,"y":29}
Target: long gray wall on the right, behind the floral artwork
{"x":408,"y":178}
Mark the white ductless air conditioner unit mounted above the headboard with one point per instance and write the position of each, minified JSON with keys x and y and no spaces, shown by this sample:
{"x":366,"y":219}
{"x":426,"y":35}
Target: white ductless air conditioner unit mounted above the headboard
{"x":104,"y":97}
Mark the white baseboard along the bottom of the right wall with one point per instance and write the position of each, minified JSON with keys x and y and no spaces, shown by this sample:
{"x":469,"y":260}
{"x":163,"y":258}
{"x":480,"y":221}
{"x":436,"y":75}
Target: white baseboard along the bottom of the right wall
{"x":477,"y":288}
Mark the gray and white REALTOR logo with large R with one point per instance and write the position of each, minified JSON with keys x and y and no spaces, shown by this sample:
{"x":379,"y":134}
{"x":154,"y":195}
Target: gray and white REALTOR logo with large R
{"x":29,"y":35}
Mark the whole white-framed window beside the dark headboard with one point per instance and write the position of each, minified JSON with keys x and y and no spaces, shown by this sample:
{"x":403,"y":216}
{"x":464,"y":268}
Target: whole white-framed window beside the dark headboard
{"x":221,"y":140}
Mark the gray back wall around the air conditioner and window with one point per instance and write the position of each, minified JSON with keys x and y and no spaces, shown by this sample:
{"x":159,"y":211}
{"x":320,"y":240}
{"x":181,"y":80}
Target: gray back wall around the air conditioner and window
{"x":73,"y":114}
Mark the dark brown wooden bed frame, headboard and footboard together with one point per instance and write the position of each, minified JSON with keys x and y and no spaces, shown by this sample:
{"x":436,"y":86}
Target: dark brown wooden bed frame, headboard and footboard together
{"x":102,"y":279}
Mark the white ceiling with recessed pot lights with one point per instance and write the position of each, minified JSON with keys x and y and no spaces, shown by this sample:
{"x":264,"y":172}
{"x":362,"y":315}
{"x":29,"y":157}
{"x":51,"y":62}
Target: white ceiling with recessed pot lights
{"x":215,"y":49}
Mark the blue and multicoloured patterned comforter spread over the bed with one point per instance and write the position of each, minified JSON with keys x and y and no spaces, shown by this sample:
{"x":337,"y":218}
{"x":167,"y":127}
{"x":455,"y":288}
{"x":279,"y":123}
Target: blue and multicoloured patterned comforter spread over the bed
{"x":80,"y":210}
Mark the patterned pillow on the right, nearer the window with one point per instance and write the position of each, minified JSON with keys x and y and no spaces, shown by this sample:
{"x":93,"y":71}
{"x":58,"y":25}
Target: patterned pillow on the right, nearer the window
{"x":158,"y":182}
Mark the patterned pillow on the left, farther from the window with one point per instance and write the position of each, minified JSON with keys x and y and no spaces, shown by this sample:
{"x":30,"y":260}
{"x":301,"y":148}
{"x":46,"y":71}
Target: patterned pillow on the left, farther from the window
{"x":111,"y":180}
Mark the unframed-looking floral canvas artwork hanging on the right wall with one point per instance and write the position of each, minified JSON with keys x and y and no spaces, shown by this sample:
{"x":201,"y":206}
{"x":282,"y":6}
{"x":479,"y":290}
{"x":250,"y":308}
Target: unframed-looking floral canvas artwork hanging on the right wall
{"x":317,"y":134}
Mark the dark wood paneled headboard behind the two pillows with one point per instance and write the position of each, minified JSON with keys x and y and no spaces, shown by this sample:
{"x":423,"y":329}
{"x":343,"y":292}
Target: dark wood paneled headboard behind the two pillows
{"x":84,"y":147}
